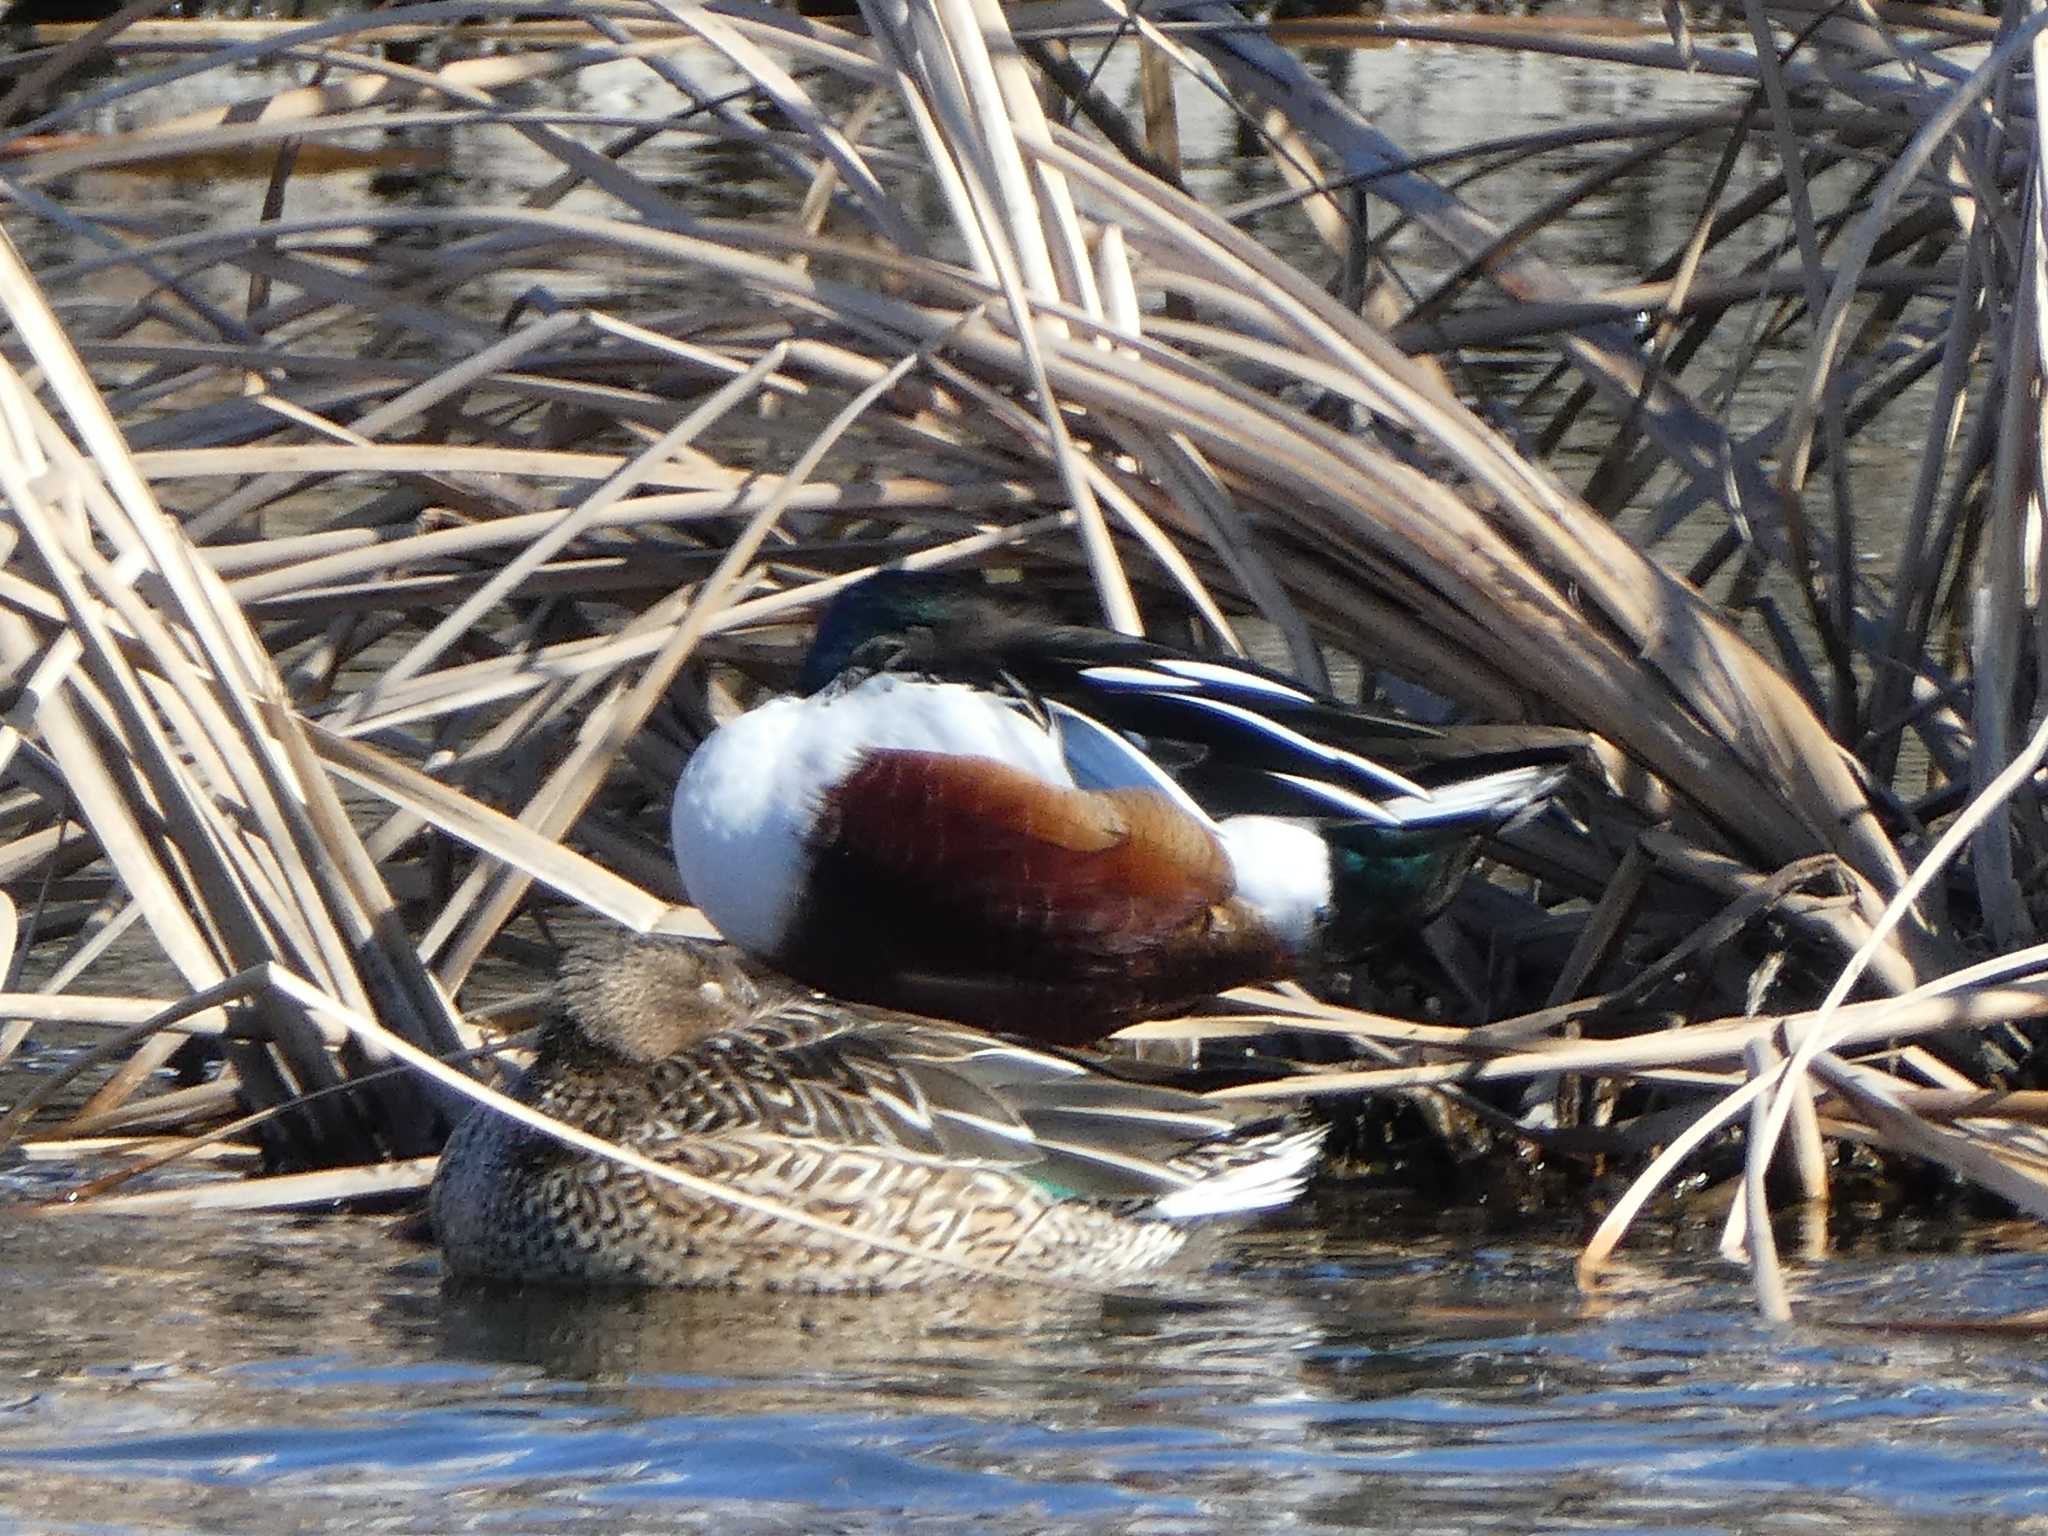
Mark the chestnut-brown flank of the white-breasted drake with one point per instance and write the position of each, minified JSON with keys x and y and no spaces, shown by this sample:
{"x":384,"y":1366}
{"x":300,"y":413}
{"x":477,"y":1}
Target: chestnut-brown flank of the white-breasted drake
{"x":972,"y":890}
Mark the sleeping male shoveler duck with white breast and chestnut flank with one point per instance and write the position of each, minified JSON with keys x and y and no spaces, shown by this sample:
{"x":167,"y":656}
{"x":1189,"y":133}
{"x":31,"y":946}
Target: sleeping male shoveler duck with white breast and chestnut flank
{"x":955,"y":818}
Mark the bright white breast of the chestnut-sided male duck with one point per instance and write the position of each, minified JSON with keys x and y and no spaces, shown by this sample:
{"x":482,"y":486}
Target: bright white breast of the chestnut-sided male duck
{"x":751,"y":794}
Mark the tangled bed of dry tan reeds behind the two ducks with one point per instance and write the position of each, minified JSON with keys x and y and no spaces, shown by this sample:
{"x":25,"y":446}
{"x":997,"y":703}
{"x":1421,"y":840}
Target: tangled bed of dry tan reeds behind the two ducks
{"x":372,"y":568}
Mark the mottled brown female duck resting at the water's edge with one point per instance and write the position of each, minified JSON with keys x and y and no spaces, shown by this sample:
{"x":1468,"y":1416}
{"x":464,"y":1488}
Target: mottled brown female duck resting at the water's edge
{"x":906,"y":1132}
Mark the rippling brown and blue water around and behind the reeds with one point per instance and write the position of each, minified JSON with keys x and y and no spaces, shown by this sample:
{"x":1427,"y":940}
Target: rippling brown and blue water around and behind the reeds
{"x":1357,"y":1365}
